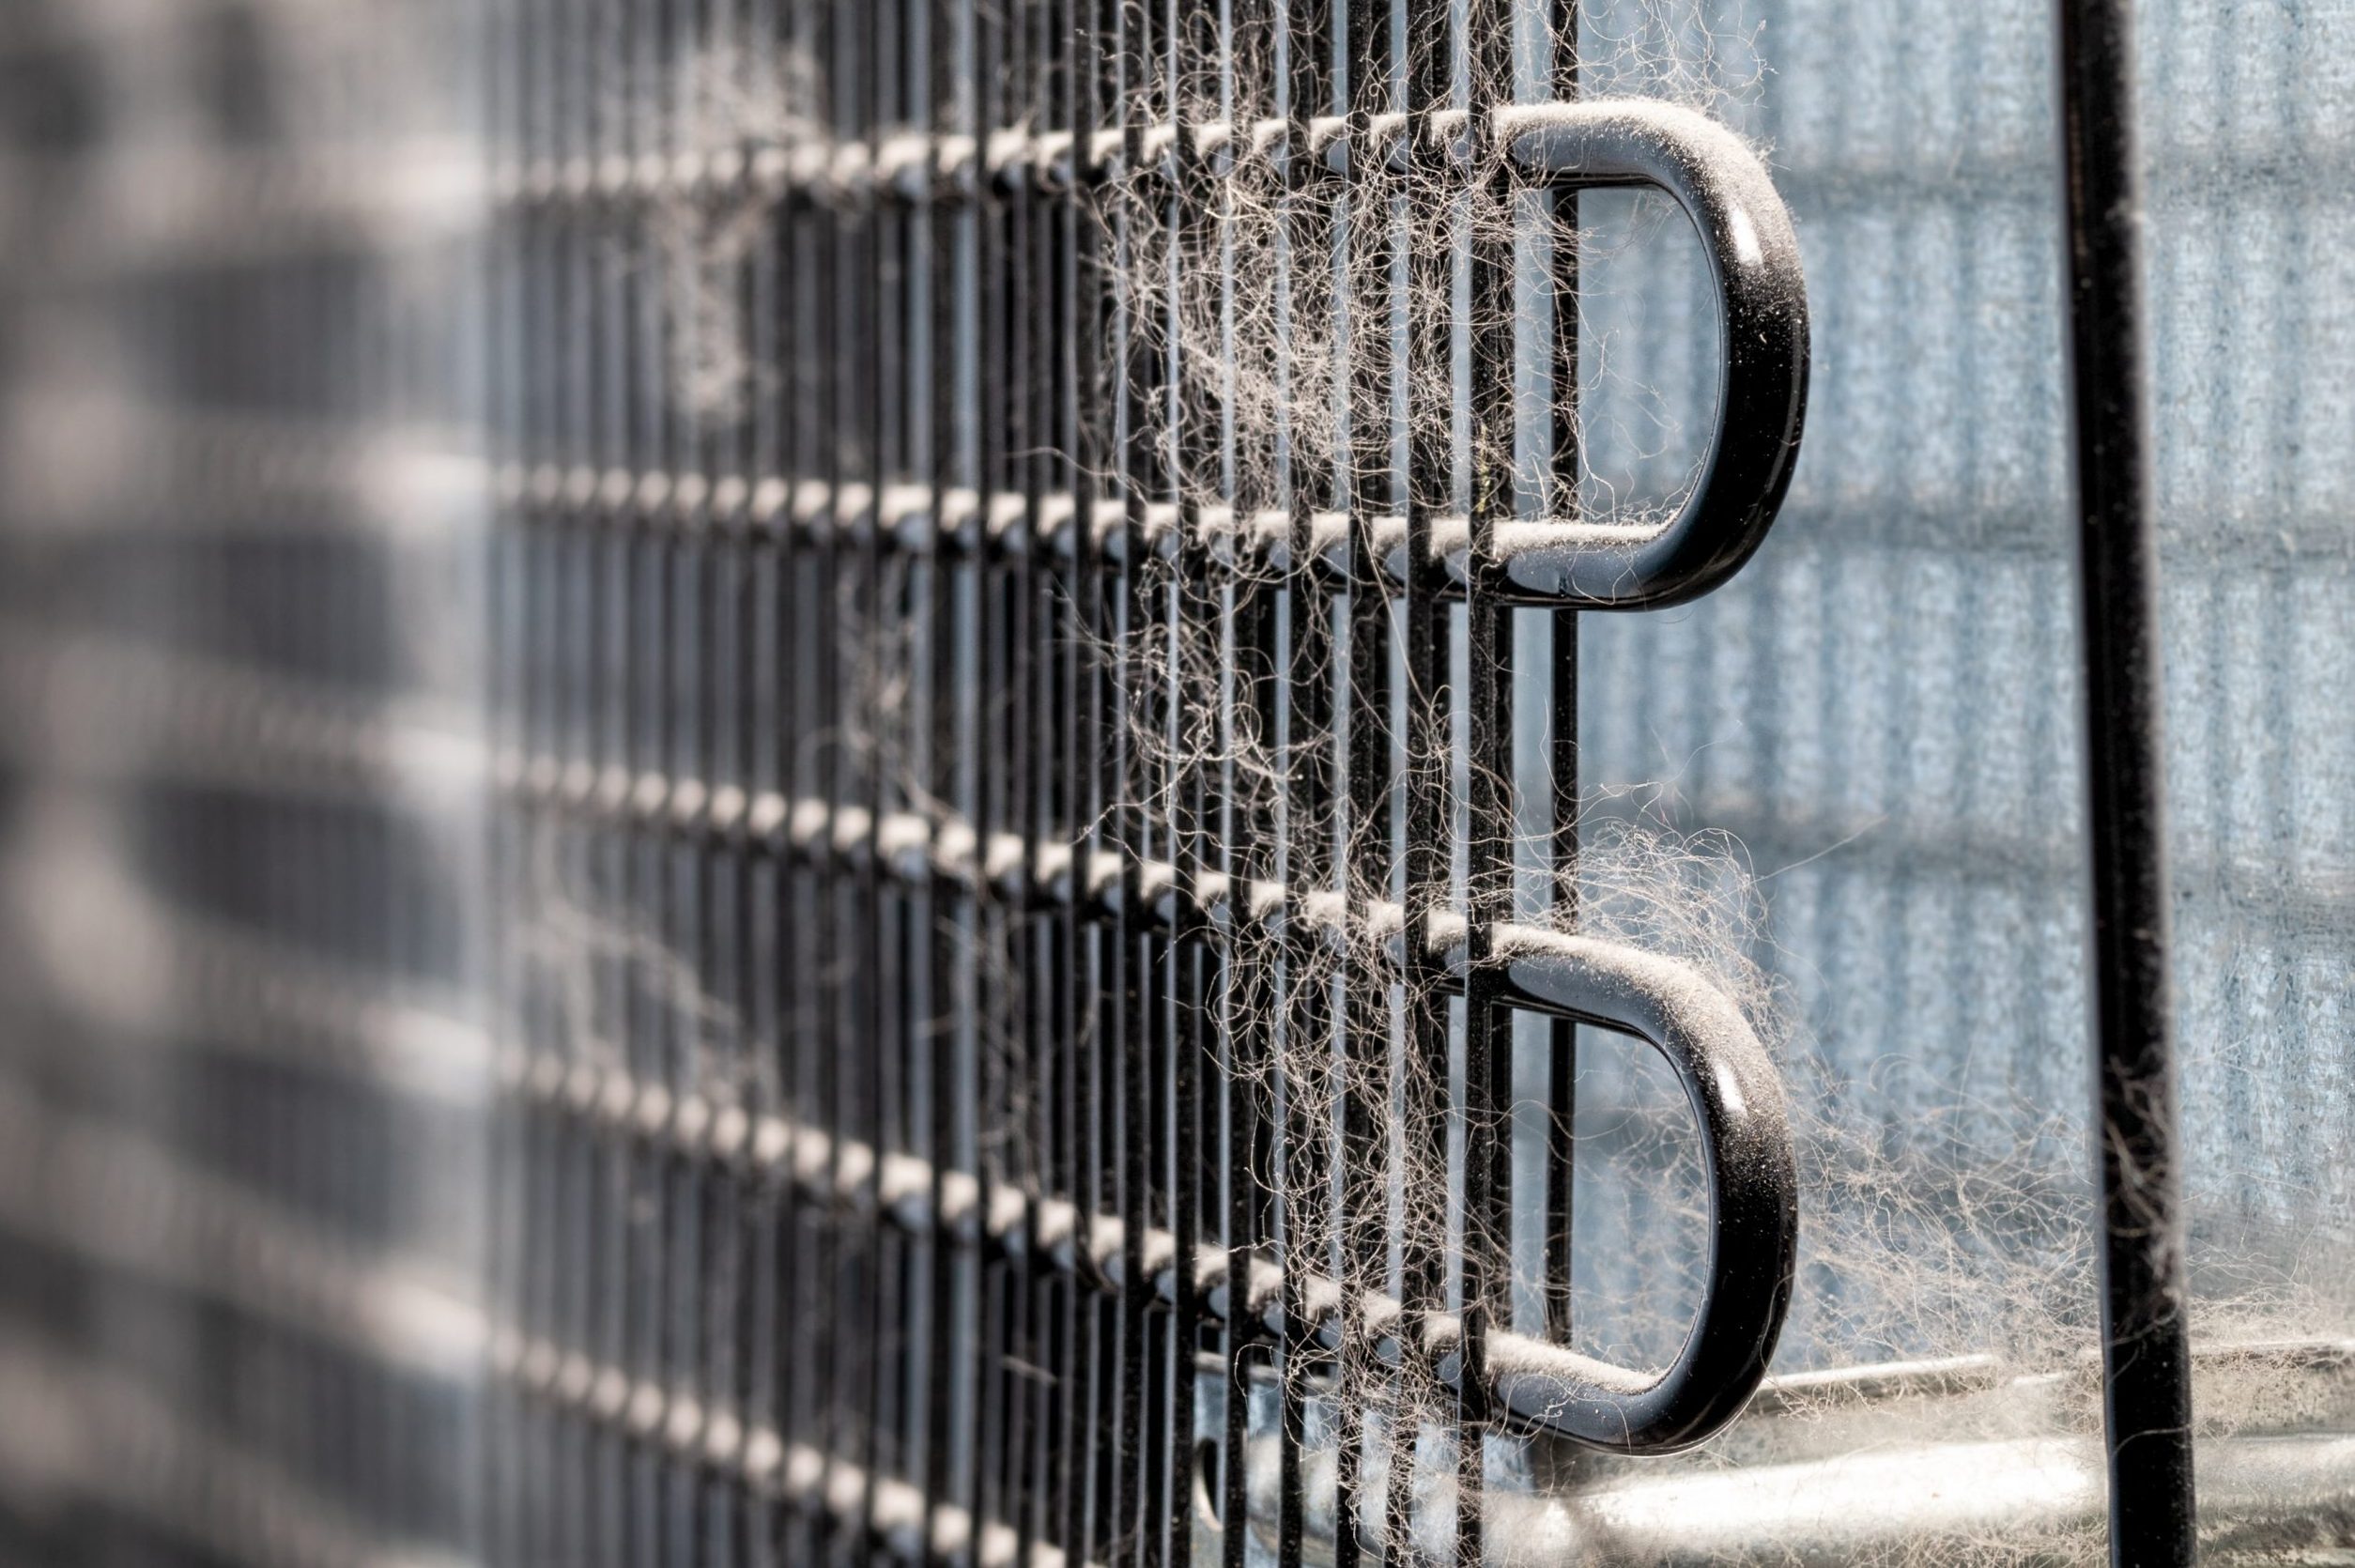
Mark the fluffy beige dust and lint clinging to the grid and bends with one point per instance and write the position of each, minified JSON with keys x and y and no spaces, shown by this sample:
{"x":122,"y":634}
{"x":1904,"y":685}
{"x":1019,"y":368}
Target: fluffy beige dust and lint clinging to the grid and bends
{"x":1261,"y":331}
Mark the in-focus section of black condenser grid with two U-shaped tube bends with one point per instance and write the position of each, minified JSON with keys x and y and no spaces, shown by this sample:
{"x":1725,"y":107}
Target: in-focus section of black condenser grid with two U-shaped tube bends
{"x":908,"y":1152}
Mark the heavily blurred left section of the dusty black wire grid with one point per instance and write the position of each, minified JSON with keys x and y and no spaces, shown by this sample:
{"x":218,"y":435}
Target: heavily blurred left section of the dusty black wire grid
{"x":241,"y":924}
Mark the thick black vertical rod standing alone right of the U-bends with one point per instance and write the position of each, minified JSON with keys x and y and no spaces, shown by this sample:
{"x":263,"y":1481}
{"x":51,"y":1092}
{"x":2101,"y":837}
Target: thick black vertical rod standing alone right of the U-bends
{"x":2144,"y":1313}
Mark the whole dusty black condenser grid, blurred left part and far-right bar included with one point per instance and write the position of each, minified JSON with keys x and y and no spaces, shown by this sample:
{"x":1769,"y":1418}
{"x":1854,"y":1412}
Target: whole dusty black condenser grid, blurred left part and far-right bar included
{"x":877,"y":1169}
